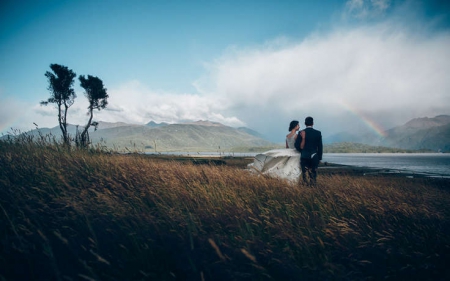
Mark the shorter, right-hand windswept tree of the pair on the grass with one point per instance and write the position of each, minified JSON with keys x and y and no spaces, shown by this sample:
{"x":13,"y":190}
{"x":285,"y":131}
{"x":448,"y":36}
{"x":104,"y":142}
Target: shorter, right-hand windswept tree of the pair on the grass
{"x":96,"y":94}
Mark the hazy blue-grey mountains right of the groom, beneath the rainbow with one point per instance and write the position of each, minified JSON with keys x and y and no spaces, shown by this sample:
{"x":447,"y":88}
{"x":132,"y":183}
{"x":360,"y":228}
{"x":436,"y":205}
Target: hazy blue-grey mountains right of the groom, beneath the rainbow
{"x":416,"y":134}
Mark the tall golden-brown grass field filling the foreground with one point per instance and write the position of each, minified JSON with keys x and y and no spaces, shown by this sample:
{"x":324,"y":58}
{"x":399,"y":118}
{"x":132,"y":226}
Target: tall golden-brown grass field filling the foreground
{"x":93,"y":216}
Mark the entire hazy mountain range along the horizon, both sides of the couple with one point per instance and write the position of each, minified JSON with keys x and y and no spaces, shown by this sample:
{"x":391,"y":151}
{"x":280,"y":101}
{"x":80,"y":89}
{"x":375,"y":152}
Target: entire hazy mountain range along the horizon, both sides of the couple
{"x":206,"y":136}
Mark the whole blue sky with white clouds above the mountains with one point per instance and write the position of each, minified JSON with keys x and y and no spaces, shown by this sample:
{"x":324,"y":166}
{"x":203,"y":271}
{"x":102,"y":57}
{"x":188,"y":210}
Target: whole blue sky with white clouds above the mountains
{"x":356,"y":65}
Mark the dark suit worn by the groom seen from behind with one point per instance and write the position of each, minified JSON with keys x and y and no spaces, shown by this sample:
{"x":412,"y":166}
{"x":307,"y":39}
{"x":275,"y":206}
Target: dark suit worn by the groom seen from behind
{"x":311,"y":153}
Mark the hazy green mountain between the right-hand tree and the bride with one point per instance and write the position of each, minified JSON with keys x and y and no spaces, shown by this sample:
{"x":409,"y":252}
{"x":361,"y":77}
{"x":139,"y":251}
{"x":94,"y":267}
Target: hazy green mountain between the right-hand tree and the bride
{"x":194,"y":136}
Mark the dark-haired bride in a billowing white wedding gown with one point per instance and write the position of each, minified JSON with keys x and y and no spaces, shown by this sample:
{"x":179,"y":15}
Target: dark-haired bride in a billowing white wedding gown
{"x":280,"y":163}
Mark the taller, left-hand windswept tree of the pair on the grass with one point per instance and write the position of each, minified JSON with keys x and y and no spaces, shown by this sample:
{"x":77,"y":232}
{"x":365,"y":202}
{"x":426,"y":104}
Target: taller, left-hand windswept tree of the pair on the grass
{"x":61,"y":93}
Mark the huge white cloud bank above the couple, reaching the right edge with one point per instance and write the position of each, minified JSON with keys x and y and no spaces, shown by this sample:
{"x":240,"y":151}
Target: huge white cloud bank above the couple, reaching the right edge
{"x":391,"y":74}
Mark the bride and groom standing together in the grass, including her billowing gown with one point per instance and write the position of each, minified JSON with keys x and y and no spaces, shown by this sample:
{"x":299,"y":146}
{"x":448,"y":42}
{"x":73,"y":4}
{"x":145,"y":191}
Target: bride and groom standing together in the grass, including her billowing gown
{"x":284,"y":163}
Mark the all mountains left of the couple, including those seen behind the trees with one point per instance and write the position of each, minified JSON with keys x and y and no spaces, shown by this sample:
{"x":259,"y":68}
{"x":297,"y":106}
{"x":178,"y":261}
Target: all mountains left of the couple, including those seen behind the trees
{"x":191,"y":136}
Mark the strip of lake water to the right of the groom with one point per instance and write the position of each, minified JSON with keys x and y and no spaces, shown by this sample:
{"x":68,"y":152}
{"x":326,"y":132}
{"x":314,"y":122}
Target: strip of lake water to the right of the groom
{"x":421,"y":163}
